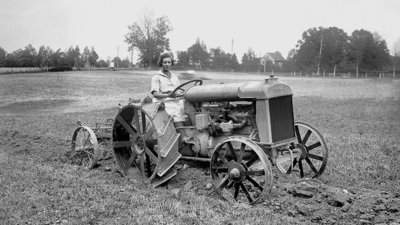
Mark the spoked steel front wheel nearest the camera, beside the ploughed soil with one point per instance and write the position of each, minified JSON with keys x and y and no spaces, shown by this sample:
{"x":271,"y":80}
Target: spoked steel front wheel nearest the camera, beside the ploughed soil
{"x":240,"y":170}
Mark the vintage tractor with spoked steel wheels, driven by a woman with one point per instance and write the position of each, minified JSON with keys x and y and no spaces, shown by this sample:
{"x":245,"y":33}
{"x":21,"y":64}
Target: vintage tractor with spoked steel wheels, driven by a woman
{"x":241,"y":129}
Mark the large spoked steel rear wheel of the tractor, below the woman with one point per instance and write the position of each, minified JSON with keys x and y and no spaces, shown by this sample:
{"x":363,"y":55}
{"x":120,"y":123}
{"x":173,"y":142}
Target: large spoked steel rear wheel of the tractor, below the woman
{"x":134,"y":138}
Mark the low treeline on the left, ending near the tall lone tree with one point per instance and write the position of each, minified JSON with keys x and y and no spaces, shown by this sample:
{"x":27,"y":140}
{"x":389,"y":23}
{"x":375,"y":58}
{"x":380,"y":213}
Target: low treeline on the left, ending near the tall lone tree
{"x":56,"y":59}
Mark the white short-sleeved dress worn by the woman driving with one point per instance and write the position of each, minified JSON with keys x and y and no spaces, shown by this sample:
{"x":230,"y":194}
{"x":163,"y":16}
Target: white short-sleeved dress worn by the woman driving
{"x":173,"y":106}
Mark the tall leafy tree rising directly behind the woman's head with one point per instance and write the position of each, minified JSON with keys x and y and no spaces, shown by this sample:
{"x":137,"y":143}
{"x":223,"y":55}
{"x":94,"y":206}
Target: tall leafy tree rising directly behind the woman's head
{"x":149,"y":38}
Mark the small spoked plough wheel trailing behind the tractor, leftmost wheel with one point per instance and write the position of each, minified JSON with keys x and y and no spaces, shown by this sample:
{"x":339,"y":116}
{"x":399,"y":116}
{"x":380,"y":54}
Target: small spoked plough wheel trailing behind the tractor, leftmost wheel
{"x":84,"y":148}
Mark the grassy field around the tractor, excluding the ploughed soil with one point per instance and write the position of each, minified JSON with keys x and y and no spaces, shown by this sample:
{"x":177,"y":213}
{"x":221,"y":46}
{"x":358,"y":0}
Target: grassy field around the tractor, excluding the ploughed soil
{"x":38,"y":111}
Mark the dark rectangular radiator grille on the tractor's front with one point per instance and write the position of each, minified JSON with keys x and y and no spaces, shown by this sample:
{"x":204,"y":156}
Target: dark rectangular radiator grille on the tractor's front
{"x":282,"y":121}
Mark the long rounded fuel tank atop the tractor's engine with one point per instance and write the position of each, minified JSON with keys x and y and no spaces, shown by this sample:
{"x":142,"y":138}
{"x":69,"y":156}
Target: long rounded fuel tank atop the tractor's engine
{"x":250,"y":90}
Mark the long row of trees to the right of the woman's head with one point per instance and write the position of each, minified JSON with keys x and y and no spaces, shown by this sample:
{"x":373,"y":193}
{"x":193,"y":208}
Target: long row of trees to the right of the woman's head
{"x":321,"y":50}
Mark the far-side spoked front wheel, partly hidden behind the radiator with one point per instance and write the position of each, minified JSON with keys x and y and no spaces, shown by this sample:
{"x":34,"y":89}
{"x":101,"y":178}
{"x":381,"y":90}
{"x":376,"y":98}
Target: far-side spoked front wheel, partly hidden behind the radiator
{"x":309,"y":153}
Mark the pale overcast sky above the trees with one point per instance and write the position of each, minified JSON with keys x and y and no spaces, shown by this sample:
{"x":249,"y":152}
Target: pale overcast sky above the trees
{"x":264,"y":26}
